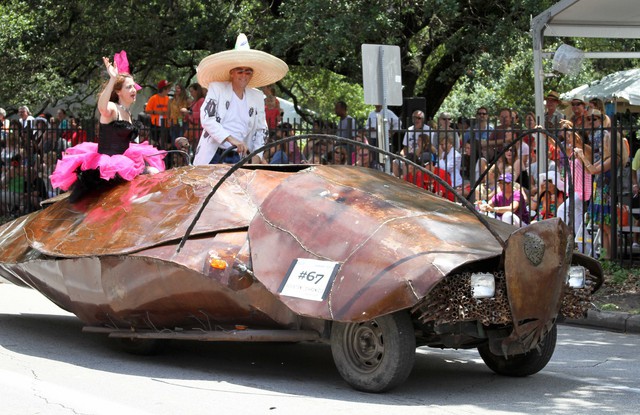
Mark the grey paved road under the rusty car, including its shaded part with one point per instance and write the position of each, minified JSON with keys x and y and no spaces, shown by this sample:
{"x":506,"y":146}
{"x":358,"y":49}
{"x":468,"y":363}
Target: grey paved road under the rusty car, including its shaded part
{"x":47,"y":366}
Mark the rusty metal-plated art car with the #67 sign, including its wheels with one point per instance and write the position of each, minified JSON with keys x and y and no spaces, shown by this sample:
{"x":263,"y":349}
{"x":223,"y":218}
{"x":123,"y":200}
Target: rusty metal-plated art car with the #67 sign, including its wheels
{"x":350,"y":256}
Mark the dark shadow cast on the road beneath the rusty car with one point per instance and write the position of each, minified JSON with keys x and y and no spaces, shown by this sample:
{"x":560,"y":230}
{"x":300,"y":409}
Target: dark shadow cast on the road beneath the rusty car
{"x":301,"y":370}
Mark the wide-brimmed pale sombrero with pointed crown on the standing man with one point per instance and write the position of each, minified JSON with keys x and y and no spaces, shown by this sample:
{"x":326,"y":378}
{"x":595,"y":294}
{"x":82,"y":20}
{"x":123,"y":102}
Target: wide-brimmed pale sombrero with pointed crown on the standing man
{"x":267,"y":69}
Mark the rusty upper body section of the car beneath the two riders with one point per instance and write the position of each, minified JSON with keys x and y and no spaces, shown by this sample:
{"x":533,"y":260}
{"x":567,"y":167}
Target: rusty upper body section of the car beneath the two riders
{"x":150,"y":210}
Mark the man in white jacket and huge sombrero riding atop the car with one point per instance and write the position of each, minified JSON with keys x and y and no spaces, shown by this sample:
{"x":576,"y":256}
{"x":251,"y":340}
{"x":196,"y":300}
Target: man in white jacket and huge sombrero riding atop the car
{"x":233,"y":112}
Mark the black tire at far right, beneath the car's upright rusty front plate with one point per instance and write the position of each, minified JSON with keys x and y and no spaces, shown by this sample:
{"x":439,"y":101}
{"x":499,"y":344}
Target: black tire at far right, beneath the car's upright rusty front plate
{"x":523,"y":364}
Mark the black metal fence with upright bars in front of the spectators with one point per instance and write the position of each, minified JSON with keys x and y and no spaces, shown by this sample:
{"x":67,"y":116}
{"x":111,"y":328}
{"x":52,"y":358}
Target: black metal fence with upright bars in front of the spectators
{"x":603,"y":209}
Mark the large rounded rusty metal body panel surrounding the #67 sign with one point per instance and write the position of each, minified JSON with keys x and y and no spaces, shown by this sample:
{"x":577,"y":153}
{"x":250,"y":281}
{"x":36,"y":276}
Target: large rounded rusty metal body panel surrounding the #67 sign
{"x":393,"y":240}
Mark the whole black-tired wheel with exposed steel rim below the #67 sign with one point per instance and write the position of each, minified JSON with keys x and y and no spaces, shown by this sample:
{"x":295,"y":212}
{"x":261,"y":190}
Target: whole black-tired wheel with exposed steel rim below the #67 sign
{"x":377,"y":355}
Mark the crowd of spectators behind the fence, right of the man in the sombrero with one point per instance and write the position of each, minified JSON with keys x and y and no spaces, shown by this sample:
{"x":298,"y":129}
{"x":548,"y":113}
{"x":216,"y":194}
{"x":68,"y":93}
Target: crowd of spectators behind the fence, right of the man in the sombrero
{"x":511,"y":166}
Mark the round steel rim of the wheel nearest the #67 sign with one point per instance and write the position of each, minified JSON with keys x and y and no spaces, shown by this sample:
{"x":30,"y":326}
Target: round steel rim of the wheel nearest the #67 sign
{"x":364,"y":345}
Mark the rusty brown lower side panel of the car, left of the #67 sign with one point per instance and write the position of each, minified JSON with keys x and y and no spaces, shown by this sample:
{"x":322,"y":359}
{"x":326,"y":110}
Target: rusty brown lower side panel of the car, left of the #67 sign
{"x":158,"y":288}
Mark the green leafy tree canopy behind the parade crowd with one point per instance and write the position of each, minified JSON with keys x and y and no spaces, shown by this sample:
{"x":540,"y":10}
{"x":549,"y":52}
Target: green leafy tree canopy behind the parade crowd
{"x":456,"y":53}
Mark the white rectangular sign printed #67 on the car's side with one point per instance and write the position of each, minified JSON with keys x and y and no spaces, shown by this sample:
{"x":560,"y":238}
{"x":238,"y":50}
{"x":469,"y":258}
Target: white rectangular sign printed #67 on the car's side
{"x":310,"y":279}
